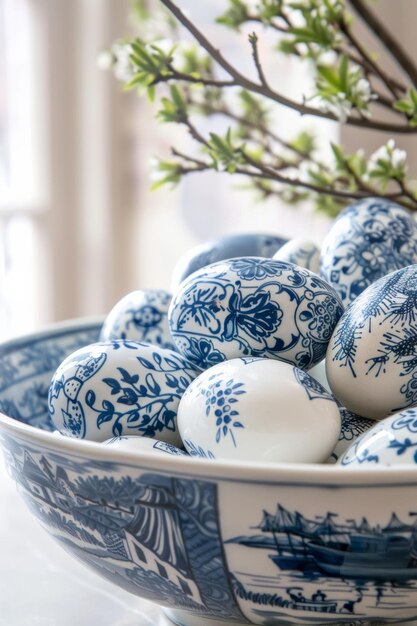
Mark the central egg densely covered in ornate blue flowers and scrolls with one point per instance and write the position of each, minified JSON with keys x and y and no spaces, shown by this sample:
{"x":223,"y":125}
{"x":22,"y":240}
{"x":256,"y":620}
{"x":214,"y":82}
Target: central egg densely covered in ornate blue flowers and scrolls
{"x":254,"y":306}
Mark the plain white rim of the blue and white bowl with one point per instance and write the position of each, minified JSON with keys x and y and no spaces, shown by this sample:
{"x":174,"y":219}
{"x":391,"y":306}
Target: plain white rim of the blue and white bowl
{"x":321,"y":475}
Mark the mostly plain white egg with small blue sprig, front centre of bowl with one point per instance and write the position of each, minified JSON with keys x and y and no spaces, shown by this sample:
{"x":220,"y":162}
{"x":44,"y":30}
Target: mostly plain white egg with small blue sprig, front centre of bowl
{"x":258,"y":410}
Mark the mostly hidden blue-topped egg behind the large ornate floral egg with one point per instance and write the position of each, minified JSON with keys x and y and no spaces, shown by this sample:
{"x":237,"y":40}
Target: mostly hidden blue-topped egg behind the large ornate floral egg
{"x":228,"y":247}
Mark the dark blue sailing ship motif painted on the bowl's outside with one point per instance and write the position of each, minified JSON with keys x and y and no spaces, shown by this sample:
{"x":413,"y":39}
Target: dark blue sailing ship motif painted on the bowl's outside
{"x":351,"y":549}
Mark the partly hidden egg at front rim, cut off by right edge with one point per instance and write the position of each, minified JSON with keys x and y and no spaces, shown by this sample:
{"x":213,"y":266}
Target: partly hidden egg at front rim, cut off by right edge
{"x":392,"y":441}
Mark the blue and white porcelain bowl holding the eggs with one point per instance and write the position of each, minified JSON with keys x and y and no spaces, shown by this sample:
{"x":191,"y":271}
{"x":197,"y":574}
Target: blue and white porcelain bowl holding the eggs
{"x":214,"y":542}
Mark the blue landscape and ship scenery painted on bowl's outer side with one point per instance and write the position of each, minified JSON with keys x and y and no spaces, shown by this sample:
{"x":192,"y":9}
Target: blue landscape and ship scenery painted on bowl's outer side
{"x":161,"y":537}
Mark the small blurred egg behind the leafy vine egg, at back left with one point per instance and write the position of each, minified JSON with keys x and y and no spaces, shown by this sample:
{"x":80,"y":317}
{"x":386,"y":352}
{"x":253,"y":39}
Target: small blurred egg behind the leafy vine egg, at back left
{"x":142,"y":316}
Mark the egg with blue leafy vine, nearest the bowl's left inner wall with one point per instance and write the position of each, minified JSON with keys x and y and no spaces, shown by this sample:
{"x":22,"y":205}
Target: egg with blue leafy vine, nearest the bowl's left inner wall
{"x":116,"y":388}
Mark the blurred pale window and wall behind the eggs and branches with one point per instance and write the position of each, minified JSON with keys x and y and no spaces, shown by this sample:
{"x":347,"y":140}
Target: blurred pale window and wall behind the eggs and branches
{"x":79,"y":227}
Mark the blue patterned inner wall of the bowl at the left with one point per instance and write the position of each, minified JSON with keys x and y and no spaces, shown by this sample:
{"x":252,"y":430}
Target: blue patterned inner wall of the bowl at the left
{"x":28,"y":364}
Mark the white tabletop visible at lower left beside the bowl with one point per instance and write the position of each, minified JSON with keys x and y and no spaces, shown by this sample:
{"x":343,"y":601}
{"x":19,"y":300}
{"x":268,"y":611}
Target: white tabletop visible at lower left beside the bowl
{"x":40,"y":584}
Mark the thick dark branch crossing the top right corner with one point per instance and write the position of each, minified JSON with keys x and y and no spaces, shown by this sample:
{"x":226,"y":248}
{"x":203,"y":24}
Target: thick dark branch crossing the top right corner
{"x":390,"y":43}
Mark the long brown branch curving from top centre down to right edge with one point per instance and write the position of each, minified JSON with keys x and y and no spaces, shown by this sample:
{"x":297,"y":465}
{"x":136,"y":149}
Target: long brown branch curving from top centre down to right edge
{"x":269,"y":93}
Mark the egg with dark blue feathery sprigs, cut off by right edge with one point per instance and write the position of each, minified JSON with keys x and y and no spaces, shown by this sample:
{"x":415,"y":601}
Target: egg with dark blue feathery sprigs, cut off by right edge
{"x":371,"y":361}
